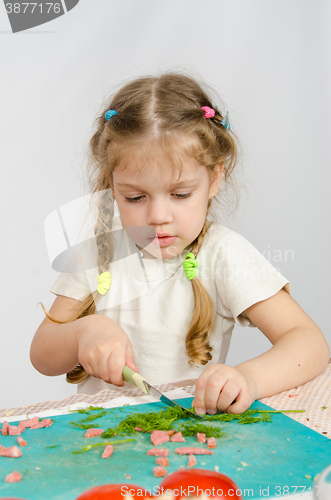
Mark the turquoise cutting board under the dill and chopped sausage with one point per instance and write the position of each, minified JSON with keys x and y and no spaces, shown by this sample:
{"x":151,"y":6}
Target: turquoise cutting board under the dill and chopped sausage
{"x":267,"y":458}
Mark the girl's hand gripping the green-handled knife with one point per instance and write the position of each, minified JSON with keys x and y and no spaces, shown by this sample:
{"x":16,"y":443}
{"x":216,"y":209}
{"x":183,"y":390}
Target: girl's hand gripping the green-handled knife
{"x":104,"y":348}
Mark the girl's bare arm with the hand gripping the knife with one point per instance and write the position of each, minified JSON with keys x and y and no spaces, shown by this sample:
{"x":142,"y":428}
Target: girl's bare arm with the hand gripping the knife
{"x":96,"y":341}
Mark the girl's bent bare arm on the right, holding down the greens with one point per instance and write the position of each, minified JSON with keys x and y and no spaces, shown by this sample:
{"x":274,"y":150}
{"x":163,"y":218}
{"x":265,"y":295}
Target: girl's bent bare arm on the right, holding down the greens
{"x":299,"y":353}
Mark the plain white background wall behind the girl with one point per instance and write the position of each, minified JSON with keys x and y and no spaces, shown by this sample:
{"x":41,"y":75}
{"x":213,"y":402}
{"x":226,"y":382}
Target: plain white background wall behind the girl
{"x":270,"y":61}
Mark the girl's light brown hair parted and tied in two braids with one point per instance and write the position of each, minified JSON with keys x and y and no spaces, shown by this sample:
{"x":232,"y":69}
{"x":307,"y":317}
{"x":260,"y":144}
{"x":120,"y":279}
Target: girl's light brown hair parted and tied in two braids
{"x":158,"y":114}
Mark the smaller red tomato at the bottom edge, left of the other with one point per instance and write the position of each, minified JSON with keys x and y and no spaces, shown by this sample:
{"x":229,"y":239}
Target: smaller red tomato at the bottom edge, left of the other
{"x":115,"y":492}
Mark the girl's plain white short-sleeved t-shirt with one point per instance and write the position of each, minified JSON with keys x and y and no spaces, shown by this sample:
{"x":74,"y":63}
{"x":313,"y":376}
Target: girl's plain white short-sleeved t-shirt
{"x":152,"y":299}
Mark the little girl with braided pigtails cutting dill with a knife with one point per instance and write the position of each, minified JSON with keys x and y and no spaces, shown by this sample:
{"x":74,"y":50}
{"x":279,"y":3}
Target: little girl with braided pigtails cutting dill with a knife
{"x":168,"y":310}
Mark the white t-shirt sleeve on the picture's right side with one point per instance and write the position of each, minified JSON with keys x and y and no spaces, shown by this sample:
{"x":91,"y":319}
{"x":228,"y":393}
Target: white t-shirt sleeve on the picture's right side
{"x":243,"y":278}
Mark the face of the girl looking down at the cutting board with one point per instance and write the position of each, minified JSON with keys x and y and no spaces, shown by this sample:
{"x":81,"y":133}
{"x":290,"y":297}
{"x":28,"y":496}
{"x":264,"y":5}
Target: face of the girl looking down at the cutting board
{"x":172,"y":204}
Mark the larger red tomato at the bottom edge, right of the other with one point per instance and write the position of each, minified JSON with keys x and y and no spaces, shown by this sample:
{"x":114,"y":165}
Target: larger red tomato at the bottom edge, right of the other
{"x":194,"y":482}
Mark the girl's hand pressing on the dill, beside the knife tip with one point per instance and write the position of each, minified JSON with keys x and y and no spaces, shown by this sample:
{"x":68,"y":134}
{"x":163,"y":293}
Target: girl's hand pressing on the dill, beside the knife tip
{"x":223,"y":388}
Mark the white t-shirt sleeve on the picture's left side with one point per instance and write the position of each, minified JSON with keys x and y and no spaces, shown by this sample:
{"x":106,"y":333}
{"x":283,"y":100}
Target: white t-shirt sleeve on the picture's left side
{"x":73,"y":284}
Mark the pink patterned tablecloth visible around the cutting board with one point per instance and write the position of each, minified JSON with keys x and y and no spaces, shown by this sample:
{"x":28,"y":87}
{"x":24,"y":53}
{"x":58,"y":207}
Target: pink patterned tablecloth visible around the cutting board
{"x":314,"y":397}
